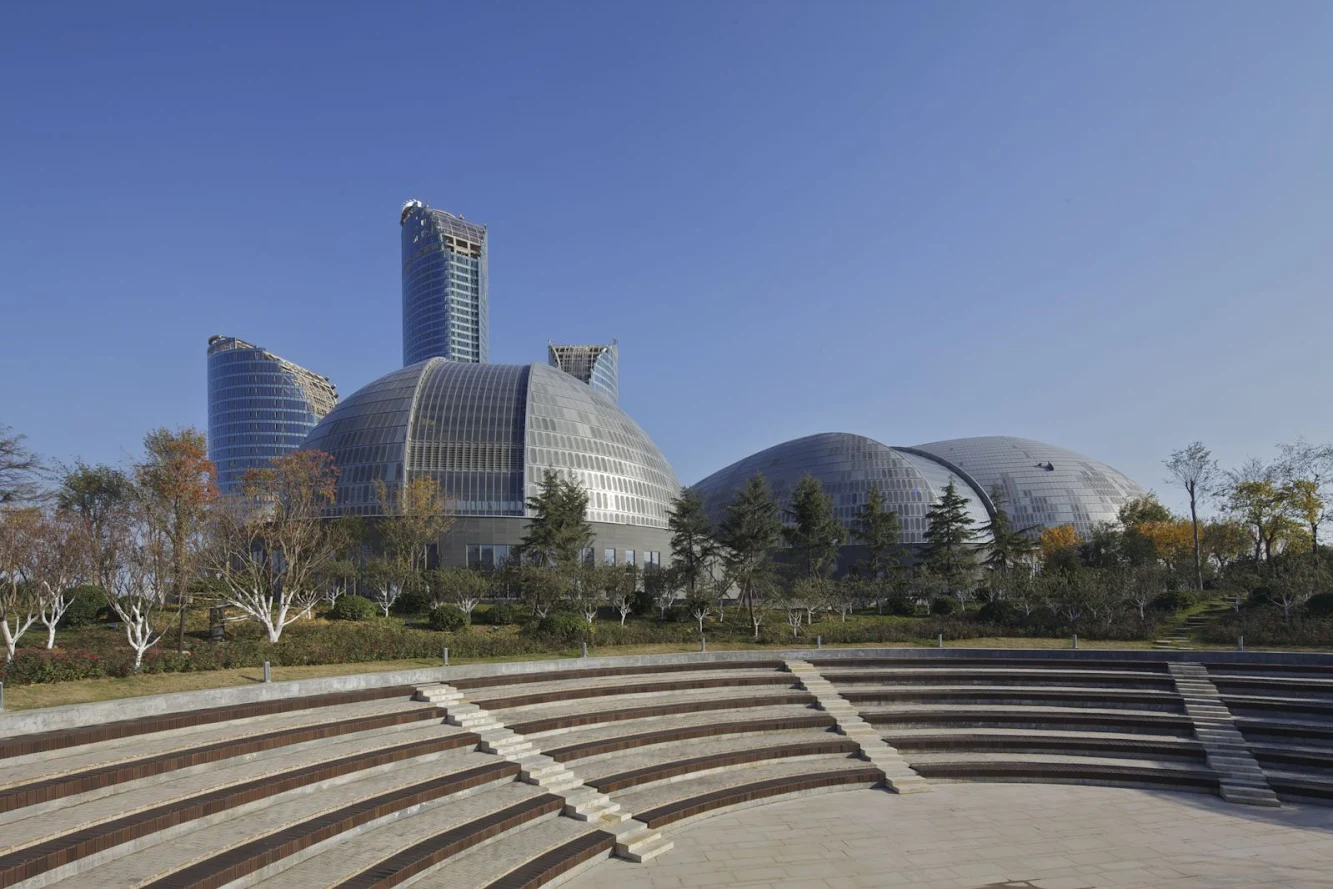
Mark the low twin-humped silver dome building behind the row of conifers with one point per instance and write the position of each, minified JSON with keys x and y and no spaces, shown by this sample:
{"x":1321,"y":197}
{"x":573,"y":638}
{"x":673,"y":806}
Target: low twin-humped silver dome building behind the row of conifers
{"x":1043,"y":486}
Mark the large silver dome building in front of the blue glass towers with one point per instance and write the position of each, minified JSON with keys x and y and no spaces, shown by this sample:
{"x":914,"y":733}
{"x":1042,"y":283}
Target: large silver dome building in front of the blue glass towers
{"x":487,"y":434}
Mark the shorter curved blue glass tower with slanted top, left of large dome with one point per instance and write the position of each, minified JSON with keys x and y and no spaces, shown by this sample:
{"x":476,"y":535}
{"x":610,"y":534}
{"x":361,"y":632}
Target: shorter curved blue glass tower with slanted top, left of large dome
{"x":259,"y":407}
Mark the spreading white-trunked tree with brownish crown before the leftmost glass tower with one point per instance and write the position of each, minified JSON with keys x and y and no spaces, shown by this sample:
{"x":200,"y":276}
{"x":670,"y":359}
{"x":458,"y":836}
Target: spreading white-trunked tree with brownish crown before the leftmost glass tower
{"x":271,"y":547}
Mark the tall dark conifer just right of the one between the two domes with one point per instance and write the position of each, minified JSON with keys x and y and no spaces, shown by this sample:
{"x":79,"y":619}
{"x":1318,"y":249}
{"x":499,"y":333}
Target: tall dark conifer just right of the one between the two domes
{"x":748,"y":535}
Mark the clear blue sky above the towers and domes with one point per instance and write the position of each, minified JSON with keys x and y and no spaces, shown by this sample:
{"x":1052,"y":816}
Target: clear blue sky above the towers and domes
{"x":1104,"y":226}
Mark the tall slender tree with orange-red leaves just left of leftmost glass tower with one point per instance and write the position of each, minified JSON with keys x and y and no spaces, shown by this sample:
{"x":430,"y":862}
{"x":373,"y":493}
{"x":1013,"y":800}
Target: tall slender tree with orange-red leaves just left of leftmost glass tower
{"x":175,"y":486}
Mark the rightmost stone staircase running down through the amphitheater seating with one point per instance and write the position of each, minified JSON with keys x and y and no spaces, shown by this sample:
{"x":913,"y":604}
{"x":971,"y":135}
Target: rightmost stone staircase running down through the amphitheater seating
{"x":1239,"y":775}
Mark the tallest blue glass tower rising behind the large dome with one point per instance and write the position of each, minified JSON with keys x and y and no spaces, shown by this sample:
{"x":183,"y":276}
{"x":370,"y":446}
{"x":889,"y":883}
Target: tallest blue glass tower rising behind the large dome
{"x":446,"y":306}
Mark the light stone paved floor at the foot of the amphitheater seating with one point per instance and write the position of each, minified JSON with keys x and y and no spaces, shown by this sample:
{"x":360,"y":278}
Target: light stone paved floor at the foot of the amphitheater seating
{"x":972,"y":836}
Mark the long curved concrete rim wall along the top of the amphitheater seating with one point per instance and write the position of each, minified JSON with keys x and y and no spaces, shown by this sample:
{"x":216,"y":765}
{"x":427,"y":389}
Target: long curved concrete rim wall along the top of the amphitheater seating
{"x":78,"y":715}
